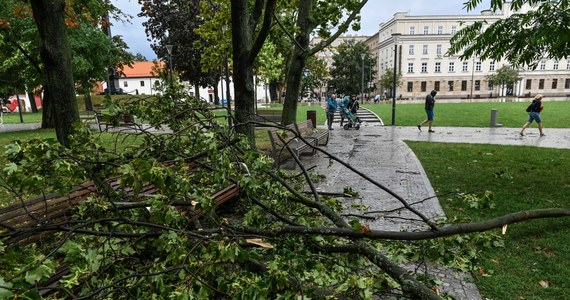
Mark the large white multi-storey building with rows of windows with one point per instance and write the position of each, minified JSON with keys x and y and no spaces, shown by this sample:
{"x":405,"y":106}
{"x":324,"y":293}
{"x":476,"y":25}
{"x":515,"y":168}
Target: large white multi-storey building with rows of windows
{"x":422,"y":43}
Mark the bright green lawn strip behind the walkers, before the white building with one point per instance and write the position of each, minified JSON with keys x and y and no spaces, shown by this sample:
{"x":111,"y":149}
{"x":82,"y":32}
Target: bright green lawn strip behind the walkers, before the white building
{"x":556,"y":114}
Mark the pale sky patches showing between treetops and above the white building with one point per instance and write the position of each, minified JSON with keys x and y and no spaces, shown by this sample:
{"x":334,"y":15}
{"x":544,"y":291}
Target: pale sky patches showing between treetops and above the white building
{"x":373,"y":13}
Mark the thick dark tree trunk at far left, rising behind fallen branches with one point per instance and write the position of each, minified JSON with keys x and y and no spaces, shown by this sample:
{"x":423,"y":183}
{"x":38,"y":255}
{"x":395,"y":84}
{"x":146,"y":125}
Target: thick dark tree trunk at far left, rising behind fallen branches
{"x":56,"y":56}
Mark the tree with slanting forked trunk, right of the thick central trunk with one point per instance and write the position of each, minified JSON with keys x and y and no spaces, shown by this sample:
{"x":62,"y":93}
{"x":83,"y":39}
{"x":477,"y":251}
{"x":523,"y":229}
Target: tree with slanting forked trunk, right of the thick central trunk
{"x":321,"y":16}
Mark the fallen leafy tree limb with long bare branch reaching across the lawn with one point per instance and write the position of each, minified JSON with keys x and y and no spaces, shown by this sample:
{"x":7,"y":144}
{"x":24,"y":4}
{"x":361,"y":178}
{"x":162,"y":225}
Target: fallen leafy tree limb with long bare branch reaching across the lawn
{"x":275,"y":241}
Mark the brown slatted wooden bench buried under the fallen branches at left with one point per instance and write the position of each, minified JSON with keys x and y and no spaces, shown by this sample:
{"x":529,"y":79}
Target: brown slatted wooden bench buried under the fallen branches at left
{"x":22,"y":223}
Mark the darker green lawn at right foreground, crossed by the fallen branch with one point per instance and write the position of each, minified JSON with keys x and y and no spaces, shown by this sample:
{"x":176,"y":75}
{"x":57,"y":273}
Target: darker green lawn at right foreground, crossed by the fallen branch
{"x":521,"y":178}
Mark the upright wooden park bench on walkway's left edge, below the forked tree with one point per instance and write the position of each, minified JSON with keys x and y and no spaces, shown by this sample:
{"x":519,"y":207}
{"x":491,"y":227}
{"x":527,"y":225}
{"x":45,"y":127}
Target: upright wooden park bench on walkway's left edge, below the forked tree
{"x":280,"y":139}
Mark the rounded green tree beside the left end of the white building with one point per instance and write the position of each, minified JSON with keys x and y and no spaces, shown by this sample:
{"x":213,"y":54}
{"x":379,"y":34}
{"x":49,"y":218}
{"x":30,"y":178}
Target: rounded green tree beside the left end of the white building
{"x":349,"y":68}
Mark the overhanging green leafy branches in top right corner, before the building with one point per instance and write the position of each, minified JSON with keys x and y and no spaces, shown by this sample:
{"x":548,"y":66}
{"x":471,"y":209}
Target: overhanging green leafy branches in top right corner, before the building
{"x":522,"y":38}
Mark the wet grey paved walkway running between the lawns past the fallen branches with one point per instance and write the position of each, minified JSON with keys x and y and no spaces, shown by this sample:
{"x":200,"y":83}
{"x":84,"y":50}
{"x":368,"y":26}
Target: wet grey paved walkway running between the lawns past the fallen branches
{"x":380,"y":153}
